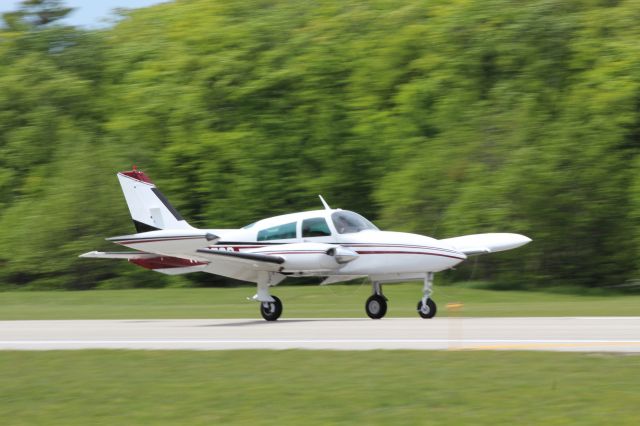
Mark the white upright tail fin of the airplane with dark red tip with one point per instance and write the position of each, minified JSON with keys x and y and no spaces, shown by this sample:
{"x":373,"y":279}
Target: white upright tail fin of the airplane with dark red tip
{"x":149,"y":208}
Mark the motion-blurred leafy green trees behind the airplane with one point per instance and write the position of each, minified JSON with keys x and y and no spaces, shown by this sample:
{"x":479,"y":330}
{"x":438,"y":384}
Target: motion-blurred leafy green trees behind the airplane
{"x":438,"y":117}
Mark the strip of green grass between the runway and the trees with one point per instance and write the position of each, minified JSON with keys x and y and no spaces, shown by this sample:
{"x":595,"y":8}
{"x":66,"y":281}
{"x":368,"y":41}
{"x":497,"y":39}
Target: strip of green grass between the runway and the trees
{"x":301,"y":301}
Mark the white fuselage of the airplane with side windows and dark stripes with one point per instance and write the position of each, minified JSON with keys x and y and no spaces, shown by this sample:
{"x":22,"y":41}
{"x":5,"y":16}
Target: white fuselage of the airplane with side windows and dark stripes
{"x":374,"y":253}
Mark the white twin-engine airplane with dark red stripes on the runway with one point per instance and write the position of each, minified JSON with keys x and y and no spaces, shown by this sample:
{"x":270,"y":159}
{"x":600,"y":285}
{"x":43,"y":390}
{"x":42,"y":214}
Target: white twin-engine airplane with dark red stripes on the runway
{"x":336,"y":244}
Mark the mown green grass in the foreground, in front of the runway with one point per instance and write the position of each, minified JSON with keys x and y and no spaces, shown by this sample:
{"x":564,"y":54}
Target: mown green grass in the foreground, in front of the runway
{"x":317,"y":388}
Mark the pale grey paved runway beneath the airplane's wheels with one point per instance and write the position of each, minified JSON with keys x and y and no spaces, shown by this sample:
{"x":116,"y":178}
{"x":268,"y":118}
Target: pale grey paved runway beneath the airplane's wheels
{"x":587,"y":334}
